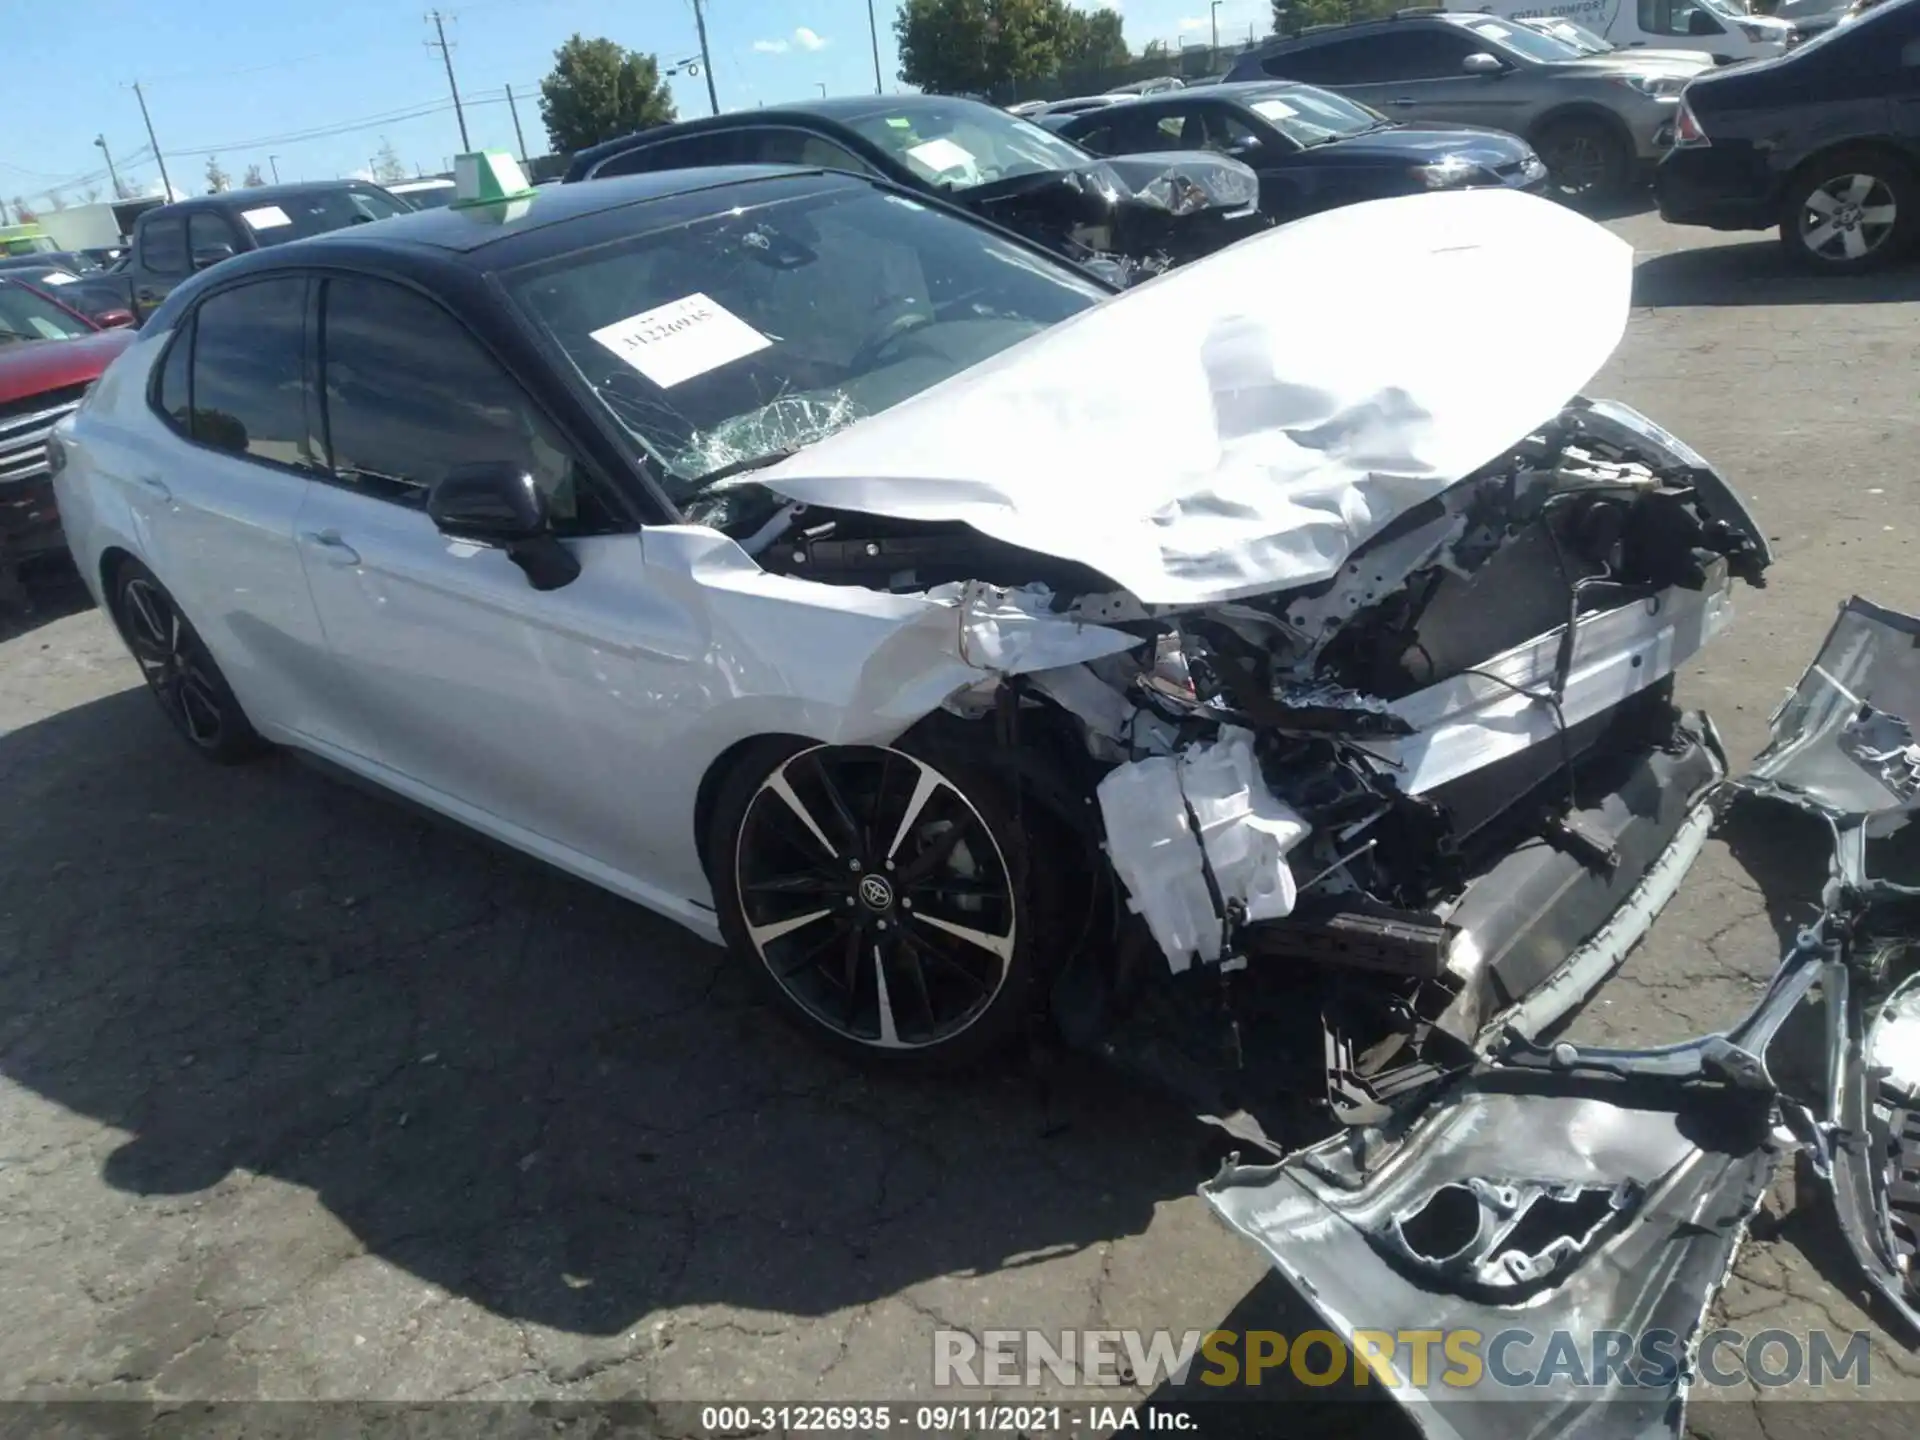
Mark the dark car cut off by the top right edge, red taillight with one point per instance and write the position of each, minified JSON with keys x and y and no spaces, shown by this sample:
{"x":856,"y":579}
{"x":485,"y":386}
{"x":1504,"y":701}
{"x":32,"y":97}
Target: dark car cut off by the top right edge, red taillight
{"x":1823,"y":143}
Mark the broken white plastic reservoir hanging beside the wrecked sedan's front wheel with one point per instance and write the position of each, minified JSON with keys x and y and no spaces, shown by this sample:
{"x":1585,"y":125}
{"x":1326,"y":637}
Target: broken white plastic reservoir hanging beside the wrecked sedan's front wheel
{"x":1184,"y":828}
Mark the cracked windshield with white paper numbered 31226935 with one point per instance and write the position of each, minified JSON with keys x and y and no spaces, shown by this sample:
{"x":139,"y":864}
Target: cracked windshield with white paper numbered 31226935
{"x":763,"y":329}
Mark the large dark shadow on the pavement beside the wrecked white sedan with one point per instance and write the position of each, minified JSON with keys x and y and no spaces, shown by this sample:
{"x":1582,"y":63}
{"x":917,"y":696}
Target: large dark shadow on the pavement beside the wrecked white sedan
{"x":506,"y":1082}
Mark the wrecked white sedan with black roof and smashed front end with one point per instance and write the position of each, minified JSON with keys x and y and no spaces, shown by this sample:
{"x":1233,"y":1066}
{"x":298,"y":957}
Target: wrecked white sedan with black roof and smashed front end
{"x":1266,"y":673}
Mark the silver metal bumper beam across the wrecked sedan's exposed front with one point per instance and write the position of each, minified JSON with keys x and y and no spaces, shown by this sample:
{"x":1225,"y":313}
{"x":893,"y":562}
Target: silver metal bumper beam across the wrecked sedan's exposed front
{"x":1481,"y":717}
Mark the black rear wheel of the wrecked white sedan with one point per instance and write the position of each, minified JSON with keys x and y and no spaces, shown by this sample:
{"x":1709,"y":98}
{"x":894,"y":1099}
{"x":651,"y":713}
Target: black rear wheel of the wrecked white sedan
{"x":180,"y":671}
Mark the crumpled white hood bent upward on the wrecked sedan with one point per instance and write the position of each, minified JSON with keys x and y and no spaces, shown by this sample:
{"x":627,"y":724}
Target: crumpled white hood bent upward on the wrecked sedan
{"x":1247,"y":421}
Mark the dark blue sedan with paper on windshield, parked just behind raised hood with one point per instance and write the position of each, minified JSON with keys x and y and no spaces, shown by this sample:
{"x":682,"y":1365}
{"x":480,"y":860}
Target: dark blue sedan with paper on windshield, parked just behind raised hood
{"x":1310,"y":149}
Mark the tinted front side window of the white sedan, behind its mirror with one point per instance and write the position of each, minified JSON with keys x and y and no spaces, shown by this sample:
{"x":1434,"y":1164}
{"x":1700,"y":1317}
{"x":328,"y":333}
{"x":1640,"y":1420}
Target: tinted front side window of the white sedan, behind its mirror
{"x":412,"y":395}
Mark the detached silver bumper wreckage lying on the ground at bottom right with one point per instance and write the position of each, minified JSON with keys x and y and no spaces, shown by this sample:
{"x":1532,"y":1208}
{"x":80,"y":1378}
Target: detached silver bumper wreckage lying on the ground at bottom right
{"x":1562,"y":1188}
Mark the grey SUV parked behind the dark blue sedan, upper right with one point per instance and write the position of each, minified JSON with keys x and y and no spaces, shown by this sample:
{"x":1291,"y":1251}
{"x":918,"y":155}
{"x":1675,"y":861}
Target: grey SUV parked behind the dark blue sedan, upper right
{"x":1595,"y":120}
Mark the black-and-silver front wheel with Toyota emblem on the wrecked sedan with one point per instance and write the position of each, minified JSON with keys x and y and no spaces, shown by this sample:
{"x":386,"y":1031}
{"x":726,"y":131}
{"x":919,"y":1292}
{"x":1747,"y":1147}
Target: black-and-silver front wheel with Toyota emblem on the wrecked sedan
{"x":880,"y":900}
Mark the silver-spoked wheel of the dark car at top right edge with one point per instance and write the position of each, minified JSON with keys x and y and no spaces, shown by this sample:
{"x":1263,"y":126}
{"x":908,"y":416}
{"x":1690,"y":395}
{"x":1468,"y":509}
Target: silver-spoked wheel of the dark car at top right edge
{"x":1850,"y":212}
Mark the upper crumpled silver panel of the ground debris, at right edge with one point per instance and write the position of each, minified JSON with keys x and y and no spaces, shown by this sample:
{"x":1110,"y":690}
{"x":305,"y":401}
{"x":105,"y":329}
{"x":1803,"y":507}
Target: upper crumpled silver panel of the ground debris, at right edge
{"x":1842,"y":742}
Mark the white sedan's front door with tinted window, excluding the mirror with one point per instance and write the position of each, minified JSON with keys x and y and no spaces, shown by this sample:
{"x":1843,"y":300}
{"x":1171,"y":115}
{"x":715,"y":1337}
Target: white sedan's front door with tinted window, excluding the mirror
{"x":516,"y":709}
